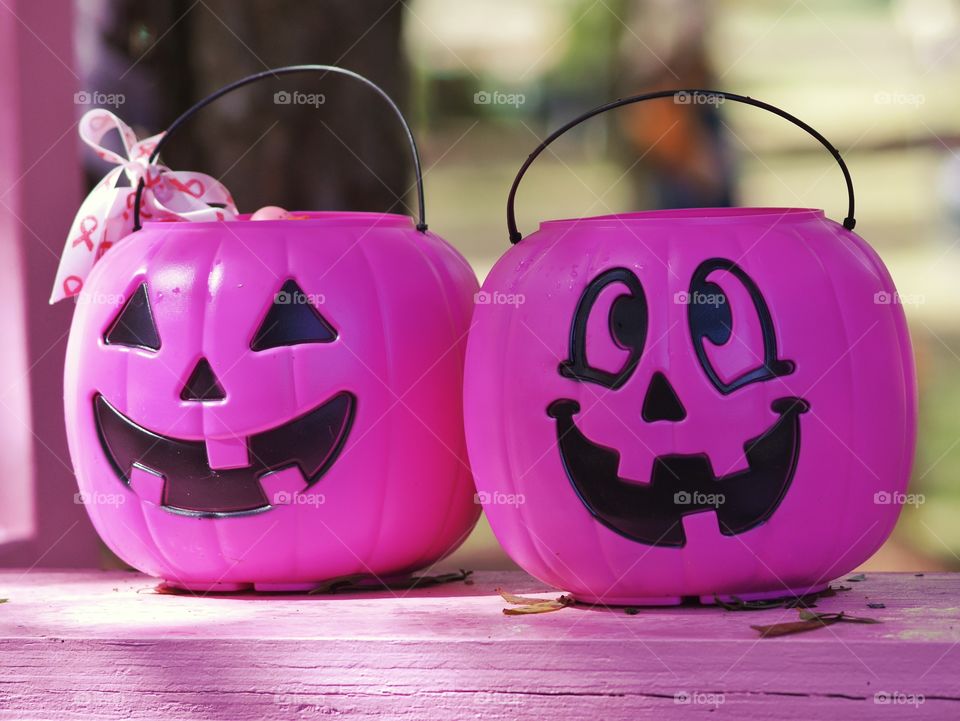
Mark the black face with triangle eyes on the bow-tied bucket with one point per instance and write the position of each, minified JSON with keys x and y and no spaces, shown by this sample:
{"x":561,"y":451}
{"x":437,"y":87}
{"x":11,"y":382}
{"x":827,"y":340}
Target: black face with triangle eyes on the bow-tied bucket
{"x":308,"y":444}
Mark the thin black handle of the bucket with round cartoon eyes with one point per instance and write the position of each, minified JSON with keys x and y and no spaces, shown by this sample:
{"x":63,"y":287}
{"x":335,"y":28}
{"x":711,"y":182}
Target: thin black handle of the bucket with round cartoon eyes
{"x":515,"y":236}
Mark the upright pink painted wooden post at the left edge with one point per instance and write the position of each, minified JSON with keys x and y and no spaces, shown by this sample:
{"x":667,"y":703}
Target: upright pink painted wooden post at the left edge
{"x":40,"y":191}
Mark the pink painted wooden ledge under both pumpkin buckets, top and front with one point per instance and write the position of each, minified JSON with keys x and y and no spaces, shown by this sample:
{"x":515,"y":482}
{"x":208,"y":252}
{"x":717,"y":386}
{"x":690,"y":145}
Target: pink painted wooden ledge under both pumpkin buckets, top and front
{"x":95,"y":645}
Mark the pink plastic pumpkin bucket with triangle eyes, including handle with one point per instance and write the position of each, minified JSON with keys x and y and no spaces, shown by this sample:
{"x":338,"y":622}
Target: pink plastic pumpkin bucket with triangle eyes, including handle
{"x":274,"y":403}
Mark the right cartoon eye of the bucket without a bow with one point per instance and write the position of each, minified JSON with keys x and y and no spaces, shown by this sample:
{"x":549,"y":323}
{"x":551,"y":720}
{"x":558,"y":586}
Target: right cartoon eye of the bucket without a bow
{"x":710,"y":314}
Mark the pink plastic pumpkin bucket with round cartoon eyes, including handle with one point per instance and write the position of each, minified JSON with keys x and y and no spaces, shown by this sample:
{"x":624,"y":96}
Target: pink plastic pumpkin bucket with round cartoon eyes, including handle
{"x":690,"y":403}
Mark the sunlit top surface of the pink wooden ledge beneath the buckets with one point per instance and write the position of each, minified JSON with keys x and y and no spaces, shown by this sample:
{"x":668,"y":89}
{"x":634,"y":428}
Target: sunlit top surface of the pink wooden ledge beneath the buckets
{"x":115,"y":604}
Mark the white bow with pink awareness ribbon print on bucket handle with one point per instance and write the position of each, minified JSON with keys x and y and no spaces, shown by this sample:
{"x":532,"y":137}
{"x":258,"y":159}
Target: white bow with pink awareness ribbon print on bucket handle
{"x":106,"y":216}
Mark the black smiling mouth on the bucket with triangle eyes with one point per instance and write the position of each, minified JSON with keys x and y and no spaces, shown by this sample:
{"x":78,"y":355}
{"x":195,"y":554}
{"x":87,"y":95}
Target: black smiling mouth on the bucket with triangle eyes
{"x":309,"y":444}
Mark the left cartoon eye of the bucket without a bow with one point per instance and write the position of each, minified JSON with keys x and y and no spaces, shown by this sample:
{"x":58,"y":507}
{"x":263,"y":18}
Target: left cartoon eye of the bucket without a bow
{"x":627,"y":323}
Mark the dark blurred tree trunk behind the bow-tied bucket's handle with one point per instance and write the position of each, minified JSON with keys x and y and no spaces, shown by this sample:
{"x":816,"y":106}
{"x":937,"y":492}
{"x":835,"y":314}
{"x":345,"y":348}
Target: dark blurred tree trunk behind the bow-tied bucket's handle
{"x":348,"y":153}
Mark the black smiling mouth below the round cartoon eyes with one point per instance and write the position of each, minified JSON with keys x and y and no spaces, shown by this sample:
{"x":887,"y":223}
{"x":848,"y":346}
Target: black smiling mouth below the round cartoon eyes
{"x":681,"y":484}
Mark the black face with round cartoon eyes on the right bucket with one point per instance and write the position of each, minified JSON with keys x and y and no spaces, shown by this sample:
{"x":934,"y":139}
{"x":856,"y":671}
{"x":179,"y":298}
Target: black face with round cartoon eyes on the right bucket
{"x":650,"y":510}
